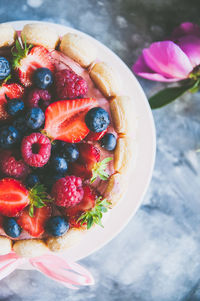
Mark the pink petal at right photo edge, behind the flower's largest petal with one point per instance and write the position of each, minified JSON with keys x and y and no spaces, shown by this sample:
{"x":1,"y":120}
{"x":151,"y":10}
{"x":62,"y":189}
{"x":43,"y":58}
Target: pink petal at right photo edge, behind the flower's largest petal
{"x":191,"y":46}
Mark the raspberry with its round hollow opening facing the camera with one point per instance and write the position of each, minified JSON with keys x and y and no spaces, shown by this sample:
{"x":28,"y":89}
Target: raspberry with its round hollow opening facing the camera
{"x":36,"y":149}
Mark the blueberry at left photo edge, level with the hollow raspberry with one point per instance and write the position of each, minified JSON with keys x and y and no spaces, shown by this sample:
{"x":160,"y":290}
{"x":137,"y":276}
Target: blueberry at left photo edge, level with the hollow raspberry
{"x":9,"y":136}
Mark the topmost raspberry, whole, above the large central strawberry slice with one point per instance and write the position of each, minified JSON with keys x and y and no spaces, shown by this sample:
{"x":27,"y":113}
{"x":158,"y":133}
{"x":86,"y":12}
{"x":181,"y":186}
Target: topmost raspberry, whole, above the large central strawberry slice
{"x":69,"y":85}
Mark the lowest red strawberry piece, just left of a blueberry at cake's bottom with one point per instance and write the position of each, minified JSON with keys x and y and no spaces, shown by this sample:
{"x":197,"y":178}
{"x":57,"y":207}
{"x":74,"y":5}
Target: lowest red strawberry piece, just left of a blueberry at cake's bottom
{"x":35,"y":225}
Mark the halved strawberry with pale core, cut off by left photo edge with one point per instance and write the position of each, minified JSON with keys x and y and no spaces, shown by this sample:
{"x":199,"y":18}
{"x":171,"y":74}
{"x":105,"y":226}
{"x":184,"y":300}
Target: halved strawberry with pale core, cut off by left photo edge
{"x":13,"y":197}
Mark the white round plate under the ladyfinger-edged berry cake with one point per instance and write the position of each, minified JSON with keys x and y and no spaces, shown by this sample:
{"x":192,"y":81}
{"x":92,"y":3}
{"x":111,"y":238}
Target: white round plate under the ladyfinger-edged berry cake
{"x":142,"y":170}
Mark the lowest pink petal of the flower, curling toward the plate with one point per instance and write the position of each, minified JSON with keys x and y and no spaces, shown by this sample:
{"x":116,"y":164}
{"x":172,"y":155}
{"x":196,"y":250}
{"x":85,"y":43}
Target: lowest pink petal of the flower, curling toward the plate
{"x":141,"y":69}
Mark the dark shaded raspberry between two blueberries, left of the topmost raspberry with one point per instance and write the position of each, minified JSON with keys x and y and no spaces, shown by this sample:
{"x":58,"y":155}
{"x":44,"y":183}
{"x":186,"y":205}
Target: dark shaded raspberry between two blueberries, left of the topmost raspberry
{"x":38,"y":98}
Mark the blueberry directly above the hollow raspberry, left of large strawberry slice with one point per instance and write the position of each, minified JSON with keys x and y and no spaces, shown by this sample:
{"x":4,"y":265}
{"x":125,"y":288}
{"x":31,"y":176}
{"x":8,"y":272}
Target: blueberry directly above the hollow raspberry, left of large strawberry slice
{"x":34,"y":118}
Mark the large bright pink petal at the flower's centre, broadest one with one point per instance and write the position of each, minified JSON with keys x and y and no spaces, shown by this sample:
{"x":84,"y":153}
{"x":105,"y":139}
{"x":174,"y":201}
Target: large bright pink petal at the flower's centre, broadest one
{"x":167,"y":59}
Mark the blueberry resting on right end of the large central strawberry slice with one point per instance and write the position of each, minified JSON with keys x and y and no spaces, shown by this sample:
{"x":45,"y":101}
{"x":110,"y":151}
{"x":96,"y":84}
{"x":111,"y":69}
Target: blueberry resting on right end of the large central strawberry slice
{"x":97,"y":119}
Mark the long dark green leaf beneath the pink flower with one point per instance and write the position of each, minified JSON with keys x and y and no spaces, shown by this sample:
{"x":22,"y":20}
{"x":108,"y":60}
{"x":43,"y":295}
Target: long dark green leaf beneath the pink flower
{"x":168,"y":95}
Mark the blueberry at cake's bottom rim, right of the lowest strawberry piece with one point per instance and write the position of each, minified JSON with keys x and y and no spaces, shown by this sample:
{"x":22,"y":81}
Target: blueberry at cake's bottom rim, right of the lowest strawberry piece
{"x":57,"y":226}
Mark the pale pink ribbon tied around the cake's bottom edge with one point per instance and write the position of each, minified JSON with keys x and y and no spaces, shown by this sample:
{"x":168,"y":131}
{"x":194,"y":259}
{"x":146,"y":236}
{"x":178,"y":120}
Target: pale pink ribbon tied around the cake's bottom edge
{"x":70,"y":274}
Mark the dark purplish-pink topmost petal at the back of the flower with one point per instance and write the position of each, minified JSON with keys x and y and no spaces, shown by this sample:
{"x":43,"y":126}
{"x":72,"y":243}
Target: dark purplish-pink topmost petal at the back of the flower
{"x":185,"y":29}
